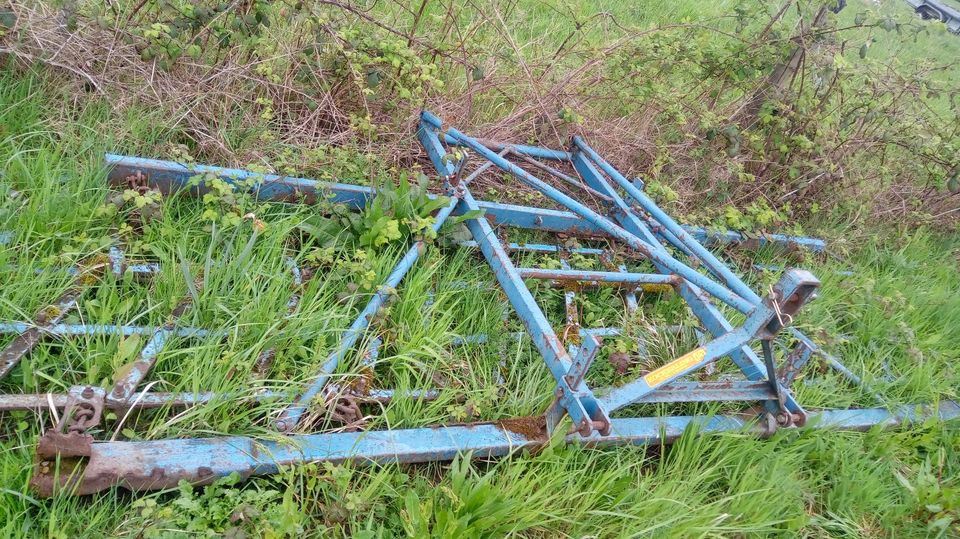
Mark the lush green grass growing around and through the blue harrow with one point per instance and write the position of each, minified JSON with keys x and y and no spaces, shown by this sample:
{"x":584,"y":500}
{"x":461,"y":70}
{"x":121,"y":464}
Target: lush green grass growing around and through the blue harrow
{"x":896,"y":322}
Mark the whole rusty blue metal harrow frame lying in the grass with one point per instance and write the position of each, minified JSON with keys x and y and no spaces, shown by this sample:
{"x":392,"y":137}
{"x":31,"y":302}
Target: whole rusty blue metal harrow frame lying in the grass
{"x":595,"y":201}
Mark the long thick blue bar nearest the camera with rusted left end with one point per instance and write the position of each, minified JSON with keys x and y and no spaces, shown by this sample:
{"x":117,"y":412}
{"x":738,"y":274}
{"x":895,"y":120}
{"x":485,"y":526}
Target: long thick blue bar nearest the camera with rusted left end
{"x":161,"y":464}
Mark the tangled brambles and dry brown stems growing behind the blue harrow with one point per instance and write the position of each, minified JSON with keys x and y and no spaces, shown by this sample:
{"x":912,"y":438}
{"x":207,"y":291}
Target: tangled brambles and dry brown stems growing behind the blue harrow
{"x":786,"y":105}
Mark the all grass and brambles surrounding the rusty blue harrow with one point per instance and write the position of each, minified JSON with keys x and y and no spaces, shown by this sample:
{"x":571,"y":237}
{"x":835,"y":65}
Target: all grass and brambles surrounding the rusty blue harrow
{"x":862,"y":139}
